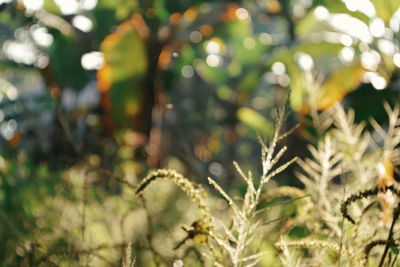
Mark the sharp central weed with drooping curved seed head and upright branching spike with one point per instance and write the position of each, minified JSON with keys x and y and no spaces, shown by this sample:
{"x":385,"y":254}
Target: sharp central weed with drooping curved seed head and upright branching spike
{"x":231,"y":244}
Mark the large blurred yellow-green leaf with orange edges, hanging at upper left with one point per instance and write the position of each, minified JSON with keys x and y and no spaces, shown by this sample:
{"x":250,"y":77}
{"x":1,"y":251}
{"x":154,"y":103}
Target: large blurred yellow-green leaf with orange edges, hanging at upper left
{"x":125,"y":67}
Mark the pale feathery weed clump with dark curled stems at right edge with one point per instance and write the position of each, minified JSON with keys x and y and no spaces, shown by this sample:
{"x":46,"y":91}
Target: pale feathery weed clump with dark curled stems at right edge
{"x":350,"y":178}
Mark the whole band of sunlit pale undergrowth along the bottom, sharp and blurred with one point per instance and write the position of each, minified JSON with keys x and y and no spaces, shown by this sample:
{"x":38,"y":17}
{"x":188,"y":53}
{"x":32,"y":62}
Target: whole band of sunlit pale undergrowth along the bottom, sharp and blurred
{"x":347,"y":213}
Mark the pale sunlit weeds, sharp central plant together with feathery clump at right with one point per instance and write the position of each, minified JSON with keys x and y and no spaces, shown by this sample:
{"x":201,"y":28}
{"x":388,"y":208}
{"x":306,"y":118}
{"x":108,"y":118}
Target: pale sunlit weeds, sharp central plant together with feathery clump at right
{"x":349,"y":207}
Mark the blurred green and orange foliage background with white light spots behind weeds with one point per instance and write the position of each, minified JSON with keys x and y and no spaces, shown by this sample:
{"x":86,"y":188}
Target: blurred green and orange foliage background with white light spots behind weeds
{"x":96,"y":89}
